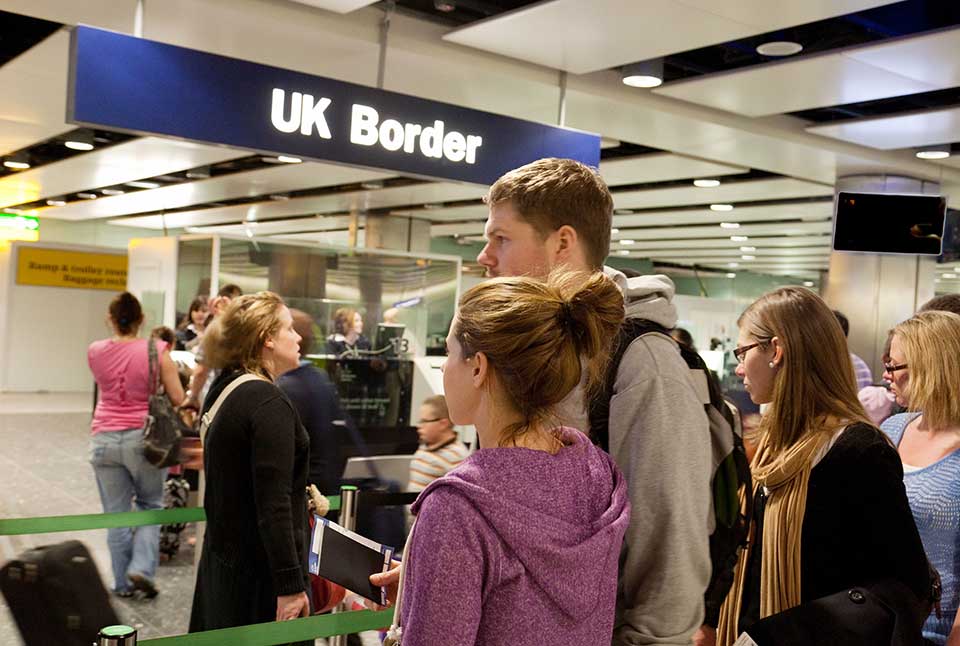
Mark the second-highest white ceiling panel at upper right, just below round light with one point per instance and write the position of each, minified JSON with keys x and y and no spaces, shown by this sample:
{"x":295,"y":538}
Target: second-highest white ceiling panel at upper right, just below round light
{"x":789,"y":86}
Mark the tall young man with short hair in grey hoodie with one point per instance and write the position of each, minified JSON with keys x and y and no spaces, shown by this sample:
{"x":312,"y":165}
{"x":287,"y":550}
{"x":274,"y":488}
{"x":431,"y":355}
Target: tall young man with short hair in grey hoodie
{"x":556,"y":212}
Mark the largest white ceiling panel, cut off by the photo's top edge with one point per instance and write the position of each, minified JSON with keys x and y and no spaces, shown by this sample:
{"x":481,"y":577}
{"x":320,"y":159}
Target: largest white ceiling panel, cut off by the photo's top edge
{"x":582,"y":37}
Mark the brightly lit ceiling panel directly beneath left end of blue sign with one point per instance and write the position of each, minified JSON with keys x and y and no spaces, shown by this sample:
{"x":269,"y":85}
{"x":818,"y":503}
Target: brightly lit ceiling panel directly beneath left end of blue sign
{"x":132,"y":160}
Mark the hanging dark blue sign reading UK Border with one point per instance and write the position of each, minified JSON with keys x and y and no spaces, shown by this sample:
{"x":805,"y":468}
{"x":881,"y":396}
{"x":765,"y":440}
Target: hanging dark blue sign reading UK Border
{"x":120,"y":82}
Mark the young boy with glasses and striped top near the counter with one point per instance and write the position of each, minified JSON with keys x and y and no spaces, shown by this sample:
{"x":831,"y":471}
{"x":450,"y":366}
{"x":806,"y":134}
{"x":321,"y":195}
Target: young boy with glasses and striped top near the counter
{"x":440,"y":450}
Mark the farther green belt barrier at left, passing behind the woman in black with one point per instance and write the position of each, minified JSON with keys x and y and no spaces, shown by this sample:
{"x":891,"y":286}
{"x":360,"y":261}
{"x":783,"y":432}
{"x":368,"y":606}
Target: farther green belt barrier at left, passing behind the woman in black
{"x":52,"y":524}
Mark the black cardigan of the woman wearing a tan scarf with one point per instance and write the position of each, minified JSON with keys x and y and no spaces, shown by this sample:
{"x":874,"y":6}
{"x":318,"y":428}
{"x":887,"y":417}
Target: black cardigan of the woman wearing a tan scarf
{"x":857,"y":527}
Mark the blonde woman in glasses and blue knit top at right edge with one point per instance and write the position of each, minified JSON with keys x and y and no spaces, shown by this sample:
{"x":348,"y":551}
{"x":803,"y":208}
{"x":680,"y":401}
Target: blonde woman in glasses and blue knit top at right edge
{"x":924,"y":372}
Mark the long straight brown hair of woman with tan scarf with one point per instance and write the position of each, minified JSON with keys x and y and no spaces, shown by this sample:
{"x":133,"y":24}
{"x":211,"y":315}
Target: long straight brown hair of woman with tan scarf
{"x":816,"y":377}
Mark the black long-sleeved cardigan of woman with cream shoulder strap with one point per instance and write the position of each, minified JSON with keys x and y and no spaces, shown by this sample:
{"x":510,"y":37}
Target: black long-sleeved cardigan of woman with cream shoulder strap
{"x":256,"y":459}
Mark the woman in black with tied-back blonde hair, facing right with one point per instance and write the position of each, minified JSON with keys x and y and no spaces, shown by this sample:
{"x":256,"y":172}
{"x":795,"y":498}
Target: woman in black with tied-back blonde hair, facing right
{"x":253,"y":567}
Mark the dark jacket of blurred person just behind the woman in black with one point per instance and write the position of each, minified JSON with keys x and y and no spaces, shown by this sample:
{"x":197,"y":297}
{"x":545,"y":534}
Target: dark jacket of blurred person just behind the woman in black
{"x":315,"y":398}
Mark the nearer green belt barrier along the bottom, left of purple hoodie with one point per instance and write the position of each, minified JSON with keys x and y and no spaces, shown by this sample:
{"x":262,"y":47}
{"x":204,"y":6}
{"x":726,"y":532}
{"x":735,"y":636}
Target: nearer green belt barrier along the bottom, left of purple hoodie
{"x":269,"y":634}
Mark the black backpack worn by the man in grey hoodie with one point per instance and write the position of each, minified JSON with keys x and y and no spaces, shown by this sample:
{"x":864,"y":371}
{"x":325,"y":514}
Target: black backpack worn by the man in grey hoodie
{"x":731,"y":469}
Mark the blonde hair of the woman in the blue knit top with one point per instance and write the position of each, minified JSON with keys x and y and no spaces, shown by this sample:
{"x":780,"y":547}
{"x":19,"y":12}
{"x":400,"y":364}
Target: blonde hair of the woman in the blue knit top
{"x":931,"y":349}
